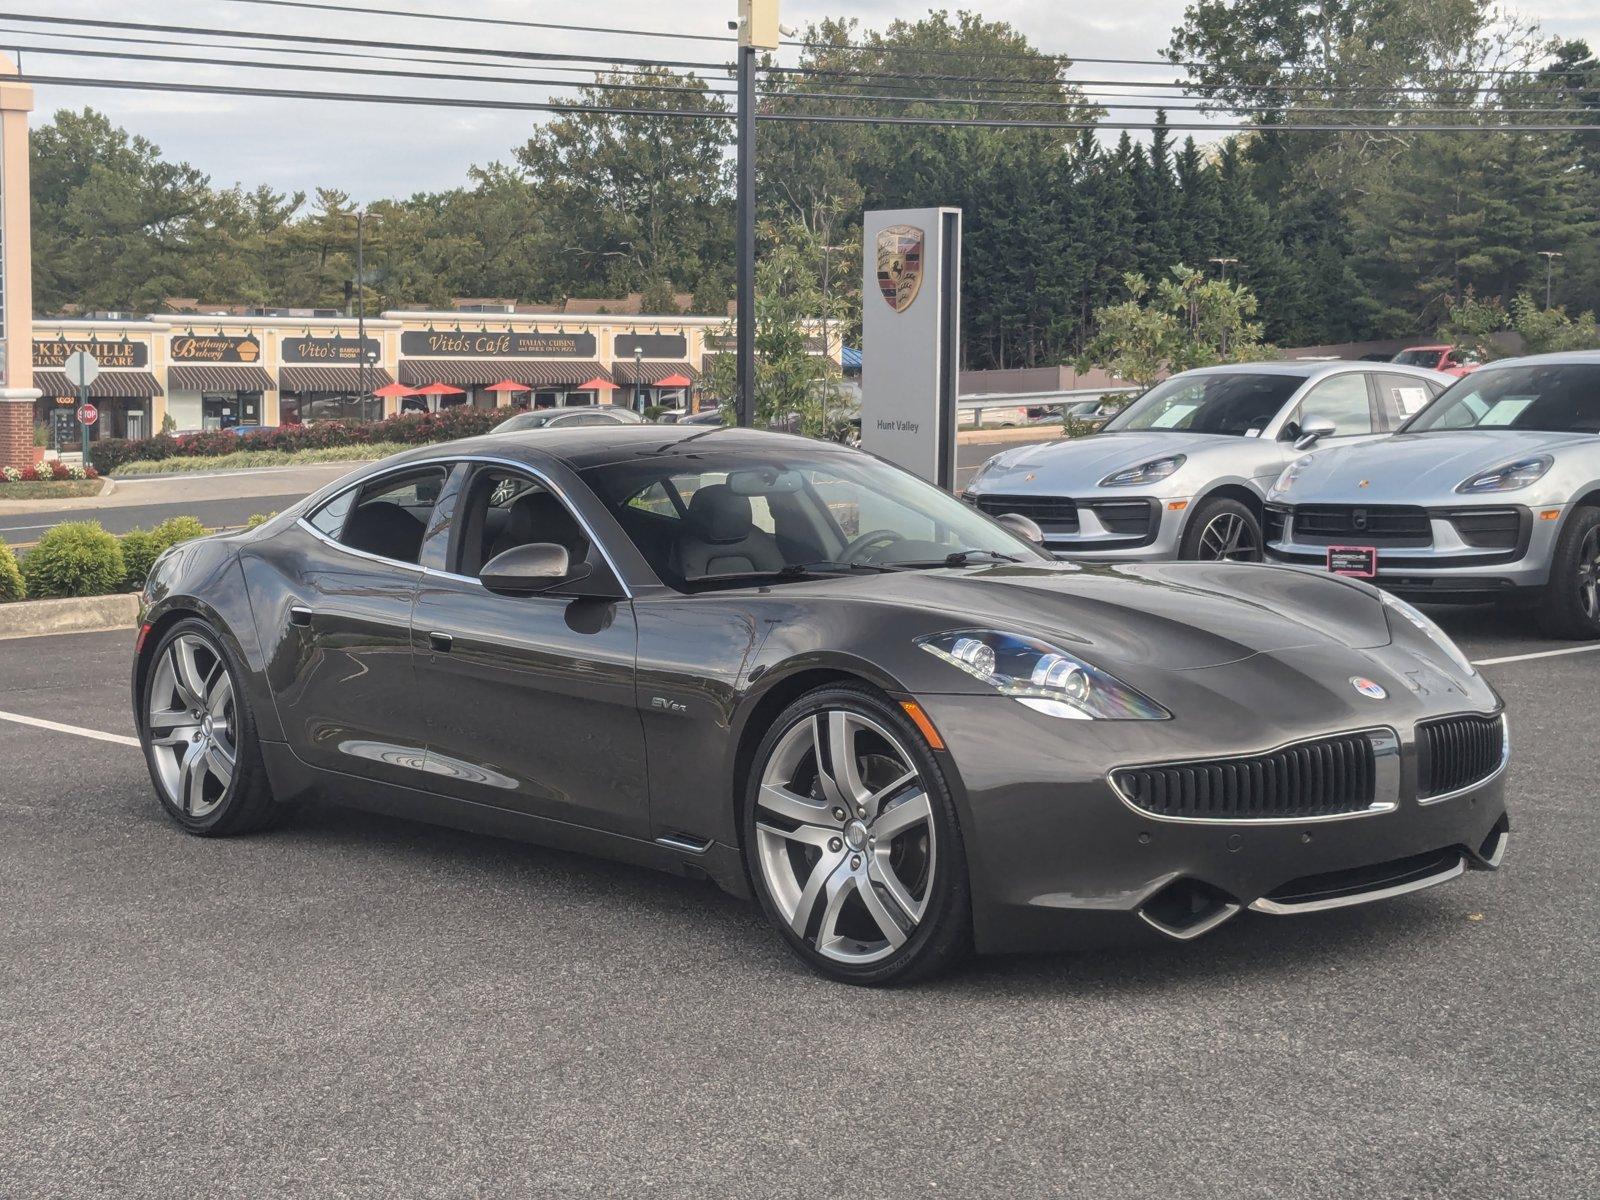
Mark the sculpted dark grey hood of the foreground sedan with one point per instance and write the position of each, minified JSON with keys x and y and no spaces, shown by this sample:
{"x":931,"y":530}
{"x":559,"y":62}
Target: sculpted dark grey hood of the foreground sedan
{"x":1167,"y":617}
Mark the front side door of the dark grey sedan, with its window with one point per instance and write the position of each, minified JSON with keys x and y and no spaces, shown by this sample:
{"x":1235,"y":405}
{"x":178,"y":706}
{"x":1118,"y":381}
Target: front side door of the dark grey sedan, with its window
{"x":530,"y":698}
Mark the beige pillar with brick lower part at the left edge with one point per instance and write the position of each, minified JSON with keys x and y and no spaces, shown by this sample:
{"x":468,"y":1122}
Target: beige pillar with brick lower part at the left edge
{"x":17,"y":276}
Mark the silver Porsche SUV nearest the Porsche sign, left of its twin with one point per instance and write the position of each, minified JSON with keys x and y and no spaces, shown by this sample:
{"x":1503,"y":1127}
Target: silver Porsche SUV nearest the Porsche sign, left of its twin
{"x":1183,"y":473}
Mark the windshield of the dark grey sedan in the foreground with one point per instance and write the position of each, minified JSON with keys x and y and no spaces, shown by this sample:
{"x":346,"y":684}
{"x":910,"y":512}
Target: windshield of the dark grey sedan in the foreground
{"x":721,"y":518}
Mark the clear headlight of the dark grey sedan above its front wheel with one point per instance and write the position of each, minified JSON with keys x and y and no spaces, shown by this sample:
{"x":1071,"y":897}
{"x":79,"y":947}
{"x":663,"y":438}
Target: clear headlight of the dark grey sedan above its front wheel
{"x":1042,"y":678}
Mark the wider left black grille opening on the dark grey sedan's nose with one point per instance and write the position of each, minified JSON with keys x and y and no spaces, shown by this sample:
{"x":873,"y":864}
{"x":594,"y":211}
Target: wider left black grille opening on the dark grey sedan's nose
{"x":1324,"y":778}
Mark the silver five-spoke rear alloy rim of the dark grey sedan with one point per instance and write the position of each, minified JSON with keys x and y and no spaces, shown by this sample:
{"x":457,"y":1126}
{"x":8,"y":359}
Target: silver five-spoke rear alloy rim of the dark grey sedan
{"x":191,"y":721}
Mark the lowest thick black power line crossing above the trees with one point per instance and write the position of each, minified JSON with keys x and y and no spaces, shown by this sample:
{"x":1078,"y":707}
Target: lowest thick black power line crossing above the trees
{"x":719,"y":114}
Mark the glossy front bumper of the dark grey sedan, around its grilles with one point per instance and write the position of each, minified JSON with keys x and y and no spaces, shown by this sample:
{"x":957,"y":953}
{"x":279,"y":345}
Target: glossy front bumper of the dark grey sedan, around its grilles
{"x":1060,"y":862}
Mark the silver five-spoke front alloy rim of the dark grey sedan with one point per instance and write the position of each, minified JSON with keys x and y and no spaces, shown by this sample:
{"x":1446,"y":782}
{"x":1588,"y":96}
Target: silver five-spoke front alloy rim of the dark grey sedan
{"x":846,"y":836}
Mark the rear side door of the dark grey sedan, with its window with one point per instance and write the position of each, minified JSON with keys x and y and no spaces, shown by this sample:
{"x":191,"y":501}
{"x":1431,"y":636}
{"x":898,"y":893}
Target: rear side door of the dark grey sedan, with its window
{"x":340,"y":628}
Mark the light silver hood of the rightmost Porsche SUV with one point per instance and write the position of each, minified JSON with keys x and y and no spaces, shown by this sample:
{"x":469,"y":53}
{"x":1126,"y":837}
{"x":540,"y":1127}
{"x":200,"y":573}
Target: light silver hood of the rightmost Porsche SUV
{"x":1417,"y":468}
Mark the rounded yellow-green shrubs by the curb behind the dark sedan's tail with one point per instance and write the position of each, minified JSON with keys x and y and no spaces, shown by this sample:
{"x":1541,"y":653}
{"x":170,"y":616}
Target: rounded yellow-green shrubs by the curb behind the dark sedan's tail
{"x":82,"y":559}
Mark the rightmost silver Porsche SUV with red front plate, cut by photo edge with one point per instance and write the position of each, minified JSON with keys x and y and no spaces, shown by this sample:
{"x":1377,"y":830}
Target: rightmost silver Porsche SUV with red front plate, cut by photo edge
{"x":1492,"y":492}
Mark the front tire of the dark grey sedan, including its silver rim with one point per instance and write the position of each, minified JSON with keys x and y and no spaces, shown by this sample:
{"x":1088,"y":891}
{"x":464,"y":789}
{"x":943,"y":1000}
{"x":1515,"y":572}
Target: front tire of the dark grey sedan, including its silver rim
{"x":846,"y":906}
